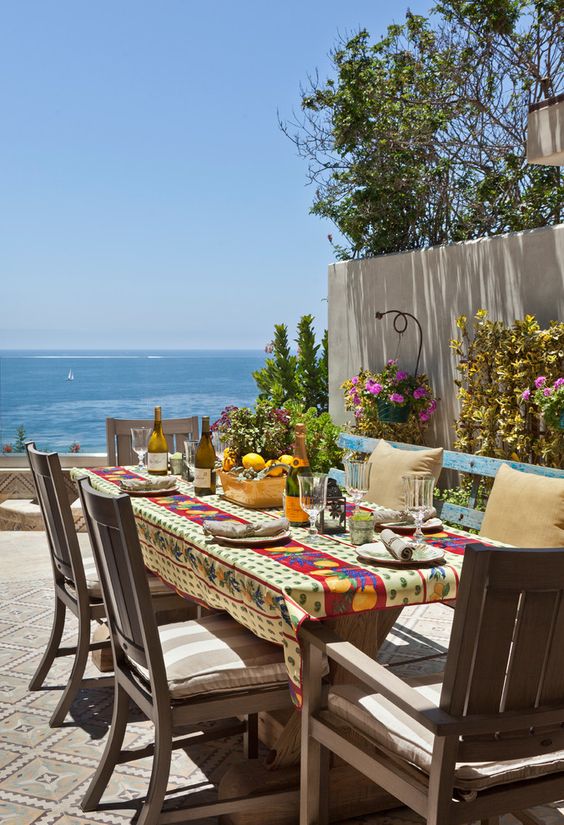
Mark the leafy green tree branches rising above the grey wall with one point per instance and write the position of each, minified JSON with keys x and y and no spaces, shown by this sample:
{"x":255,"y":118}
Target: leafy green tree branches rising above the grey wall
{"x":420,"y":138}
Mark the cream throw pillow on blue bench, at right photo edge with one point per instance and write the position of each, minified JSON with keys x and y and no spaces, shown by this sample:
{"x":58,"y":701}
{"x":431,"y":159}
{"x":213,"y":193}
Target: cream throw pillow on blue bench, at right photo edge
{"x":525,"y":510}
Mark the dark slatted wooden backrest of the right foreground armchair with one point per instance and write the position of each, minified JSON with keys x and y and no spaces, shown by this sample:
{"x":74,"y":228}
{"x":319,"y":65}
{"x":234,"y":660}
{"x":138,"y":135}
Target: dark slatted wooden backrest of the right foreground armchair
{"x":505,"y":652}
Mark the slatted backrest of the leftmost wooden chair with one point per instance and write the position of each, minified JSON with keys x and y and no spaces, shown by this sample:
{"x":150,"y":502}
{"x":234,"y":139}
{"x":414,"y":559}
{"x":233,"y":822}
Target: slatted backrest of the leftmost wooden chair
{"x":57,"y":515}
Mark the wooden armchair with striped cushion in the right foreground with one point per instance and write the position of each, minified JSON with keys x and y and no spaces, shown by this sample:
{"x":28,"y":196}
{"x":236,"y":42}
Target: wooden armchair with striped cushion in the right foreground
{"x":486,"y":740}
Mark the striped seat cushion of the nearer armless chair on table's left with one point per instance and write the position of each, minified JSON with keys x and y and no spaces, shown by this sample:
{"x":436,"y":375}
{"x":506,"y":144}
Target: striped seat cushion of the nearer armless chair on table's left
{"x":215,"y":654}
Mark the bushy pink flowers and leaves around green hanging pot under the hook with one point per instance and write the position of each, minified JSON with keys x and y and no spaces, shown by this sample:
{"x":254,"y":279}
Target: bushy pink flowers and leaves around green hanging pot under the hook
{"x":396,"y":387}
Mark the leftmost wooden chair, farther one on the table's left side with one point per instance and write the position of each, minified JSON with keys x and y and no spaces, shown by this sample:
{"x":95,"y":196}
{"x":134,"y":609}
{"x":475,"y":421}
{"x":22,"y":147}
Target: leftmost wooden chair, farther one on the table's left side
{"x":76,"y":583}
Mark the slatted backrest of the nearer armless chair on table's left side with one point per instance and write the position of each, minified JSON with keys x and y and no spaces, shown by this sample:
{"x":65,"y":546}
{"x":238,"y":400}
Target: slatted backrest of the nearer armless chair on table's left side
{"x":117,"y":552}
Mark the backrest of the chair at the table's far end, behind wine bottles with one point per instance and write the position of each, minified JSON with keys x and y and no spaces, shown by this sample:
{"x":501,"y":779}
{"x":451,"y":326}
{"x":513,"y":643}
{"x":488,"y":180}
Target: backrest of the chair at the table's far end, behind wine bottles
{"x":118,"y":436}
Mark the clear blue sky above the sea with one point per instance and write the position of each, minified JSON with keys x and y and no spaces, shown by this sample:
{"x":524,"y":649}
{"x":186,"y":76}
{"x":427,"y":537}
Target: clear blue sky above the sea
{"x":147,"y":195}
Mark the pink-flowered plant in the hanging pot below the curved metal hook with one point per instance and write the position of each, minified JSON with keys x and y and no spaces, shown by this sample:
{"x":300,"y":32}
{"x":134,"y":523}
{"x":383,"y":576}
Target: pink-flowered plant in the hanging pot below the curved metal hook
{"x":391,"y":396}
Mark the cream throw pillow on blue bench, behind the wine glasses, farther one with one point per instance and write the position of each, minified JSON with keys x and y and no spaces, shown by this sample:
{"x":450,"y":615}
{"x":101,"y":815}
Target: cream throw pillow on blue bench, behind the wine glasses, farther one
{"x":388,"y":466}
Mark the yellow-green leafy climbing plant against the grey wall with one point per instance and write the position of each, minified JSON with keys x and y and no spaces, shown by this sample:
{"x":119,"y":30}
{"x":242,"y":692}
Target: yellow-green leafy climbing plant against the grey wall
{"x":496,"y":364}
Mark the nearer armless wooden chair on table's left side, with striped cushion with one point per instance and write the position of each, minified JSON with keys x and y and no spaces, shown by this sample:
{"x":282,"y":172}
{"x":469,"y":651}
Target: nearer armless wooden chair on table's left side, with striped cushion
{"x":179,"y":675}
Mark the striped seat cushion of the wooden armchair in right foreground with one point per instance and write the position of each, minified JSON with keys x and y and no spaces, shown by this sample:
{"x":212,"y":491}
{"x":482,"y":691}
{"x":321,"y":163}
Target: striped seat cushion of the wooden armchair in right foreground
{"x":395,"y":732}
